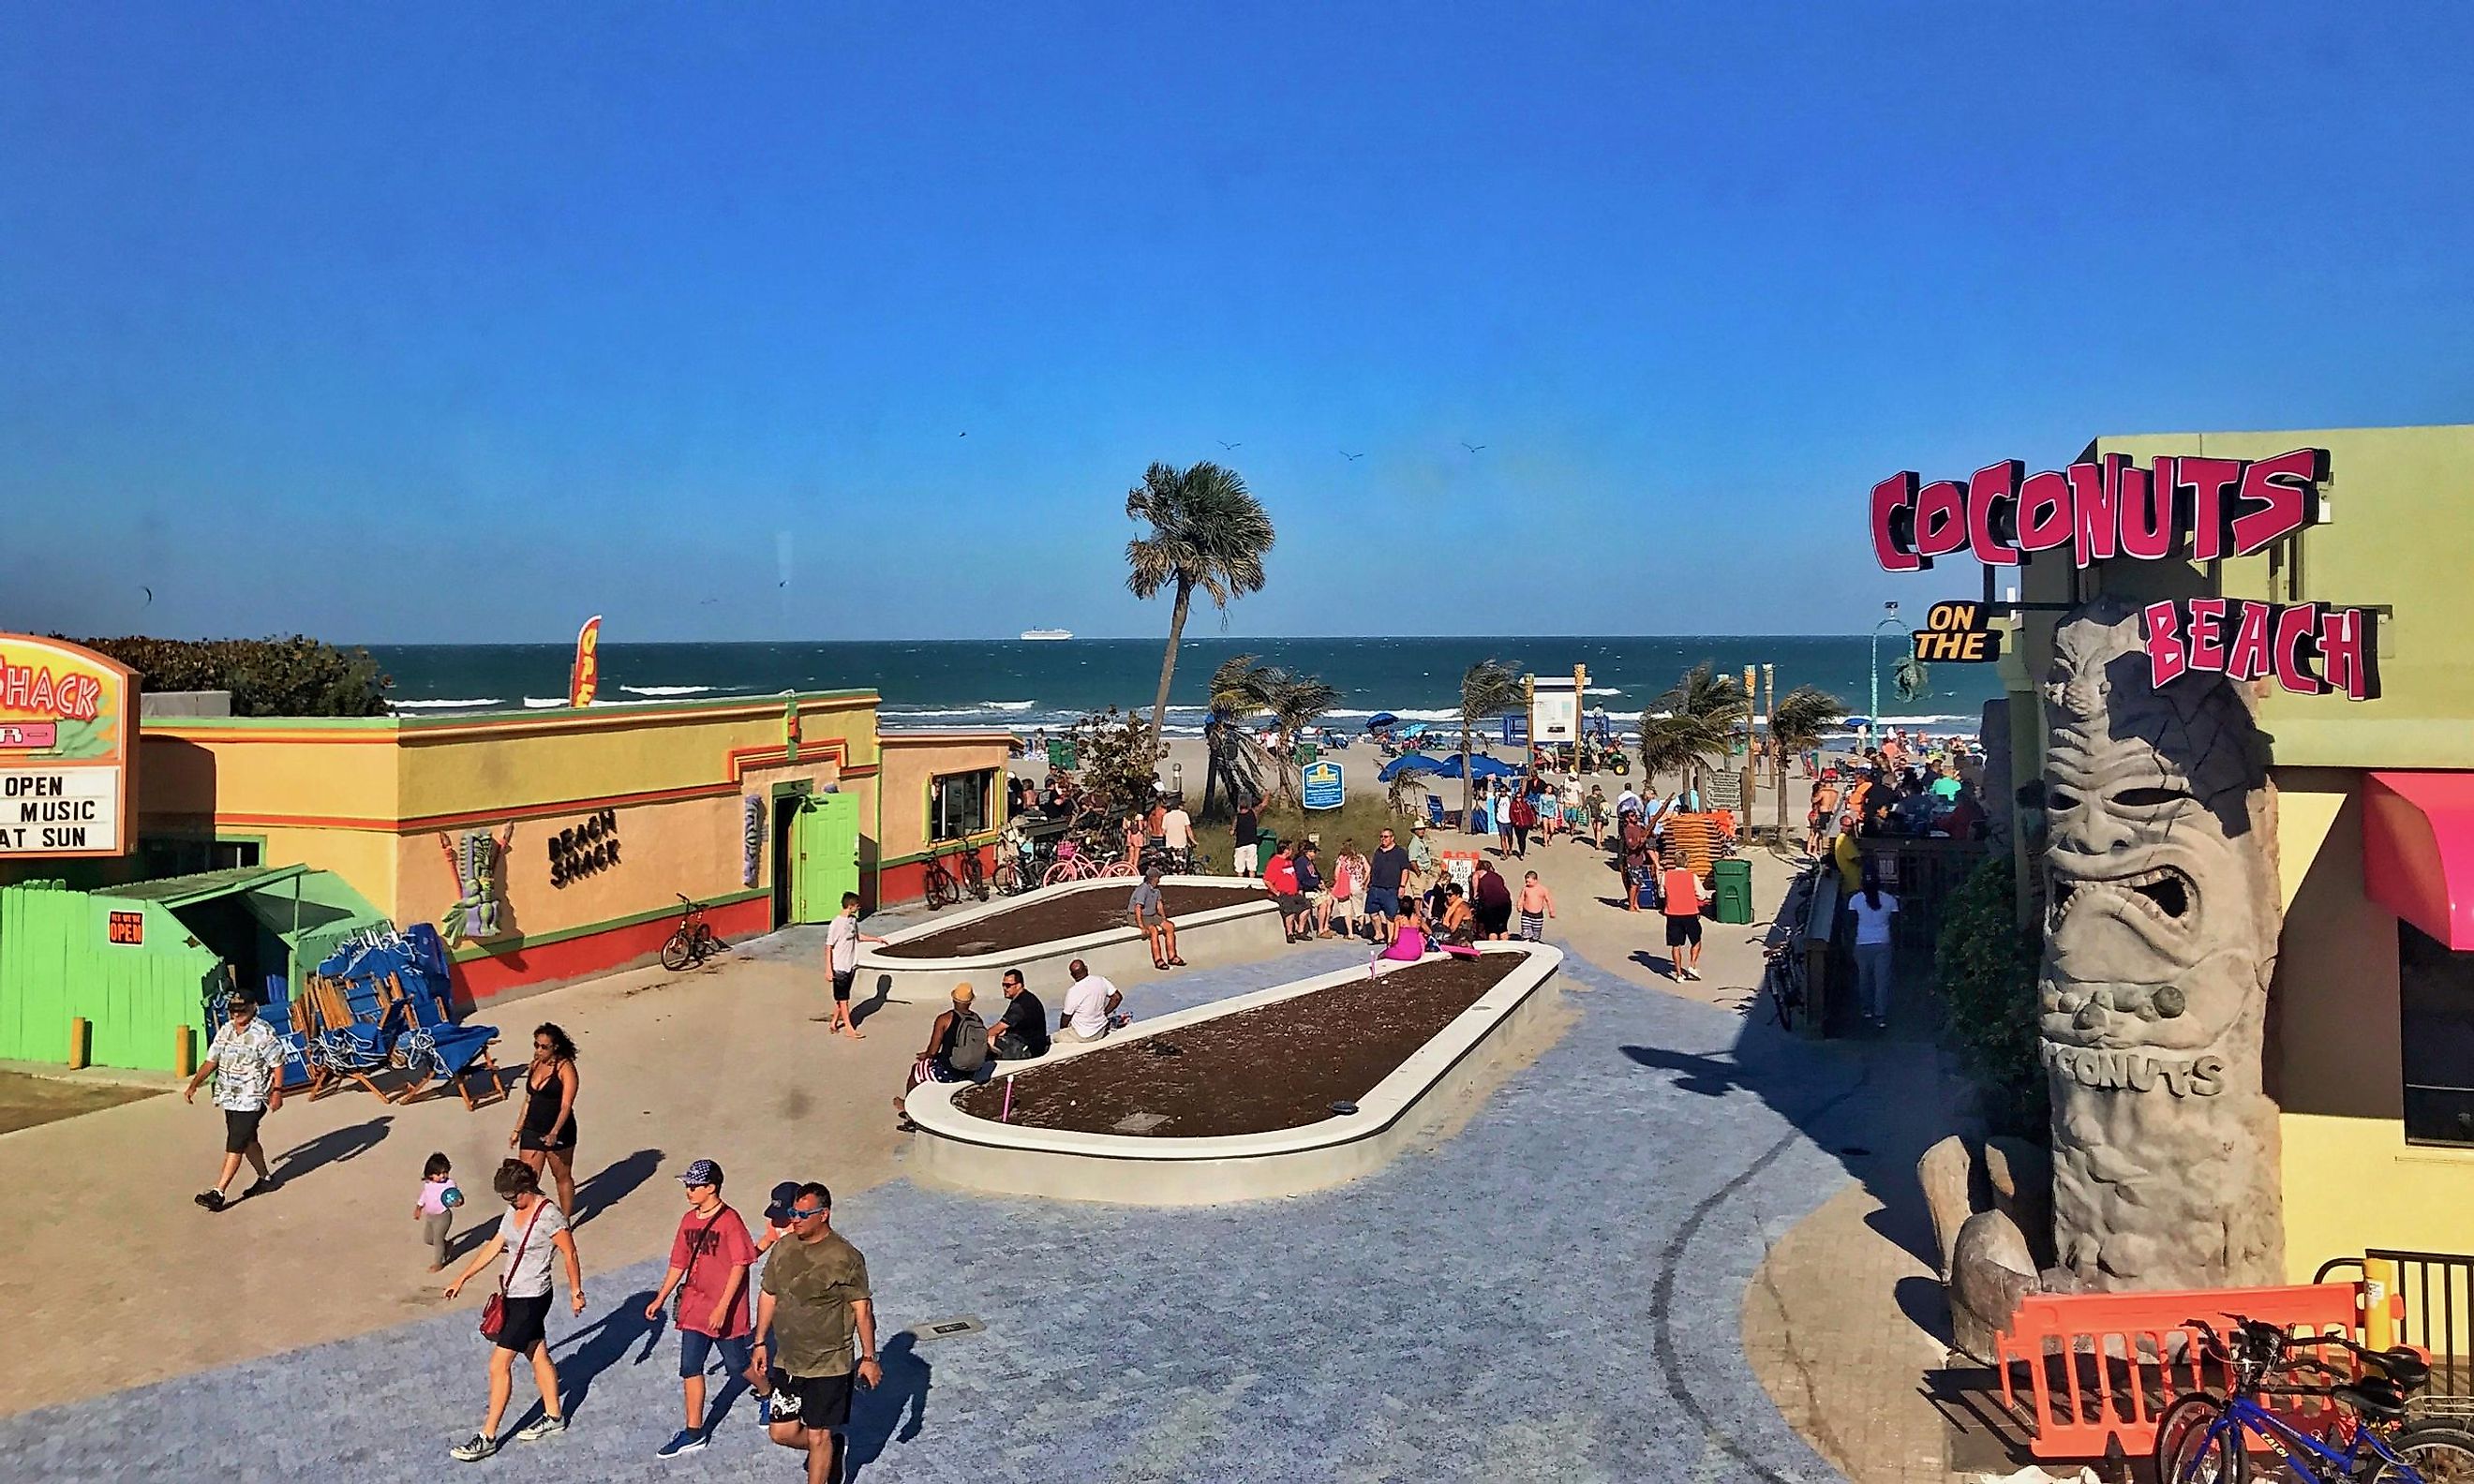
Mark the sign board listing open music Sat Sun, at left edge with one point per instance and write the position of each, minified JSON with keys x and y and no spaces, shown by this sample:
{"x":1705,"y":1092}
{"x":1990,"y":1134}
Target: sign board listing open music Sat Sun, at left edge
{"x":68,"y":741}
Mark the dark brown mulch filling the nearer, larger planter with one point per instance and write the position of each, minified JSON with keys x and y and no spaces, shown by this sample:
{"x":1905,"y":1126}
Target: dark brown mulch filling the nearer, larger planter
{"x":1258,"y":1070}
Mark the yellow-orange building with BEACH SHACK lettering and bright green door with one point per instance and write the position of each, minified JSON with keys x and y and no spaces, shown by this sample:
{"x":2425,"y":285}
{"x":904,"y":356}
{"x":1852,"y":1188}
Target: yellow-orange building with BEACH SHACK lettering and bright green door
{"x":565,"y":840}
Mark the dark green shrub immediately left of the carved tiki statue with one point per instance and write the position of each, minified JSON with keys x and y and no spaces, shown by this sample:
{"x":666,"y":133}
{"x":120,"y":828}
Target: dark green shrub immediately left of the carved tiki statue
{"x":1988,"y":976}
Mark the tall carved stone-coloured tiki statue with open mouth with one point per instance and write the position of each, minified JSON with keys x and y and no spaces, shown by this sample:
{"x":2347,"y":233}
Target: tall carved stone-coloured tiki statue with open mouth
{"x":2161,"y":939}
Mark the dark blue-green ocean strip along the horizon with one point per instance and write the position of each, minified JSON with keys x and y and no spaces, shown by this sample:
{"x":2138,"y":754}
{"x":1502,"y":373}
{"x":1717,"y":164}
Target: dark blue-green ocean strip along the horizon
{"x":1050,"y":684}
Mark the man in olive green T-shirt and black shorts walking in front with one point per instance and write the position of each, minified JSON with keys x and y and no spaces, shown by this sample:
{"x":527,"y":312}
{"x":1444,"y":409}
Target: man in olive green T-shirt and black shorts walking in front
{"x":815,"y":1302}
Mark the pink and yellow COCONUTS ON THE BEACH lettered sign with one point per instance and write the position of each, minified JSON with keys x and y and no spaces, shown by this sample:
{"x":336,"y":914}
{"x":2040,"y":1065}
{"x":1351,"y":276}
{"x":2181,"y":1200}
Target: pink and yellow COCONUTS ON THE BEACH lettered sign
{"x":2114,"y":508}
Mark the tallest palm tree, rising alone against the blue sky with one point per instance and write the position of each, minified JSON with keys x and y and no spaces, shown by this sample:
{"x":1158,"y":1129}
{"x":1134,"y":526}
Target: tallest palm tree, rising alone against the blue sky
{"x":1206,"y":533}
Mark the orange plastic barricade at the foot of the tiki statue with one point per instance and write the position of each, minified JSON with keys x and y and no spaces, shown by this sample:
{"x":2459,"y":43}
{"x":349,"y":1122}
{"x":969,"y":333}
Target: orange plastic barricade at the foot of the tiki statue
{"x":2104,"y":1367}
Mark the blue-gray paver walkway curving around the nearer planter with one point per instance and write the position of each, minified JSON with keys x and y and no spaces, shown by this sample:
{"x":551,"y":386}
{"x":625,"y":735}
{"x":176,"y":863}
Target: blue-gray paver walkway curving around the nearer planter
{"x":1552,"y":1295}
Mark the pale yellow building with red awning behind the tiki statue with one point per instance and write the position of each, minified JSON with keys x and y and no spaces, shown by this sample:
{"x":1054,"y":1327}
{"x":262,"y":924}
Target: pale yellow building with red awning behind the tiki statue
{"x":2371,"y":1018}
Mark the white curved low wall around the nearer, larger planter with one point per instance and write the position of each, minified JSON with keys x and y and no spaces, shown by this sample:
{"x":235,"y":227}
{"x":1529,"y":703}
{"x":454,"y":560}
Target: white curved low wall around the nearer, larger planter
{"x":956,"y":1149}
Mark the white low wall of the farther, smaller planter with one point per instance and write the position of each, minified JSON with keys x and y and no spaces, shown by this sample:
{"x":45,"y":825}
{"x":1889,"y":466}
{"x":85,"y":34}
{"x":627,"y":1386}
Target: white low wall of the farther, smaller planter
{"x":1216,"y":936}
